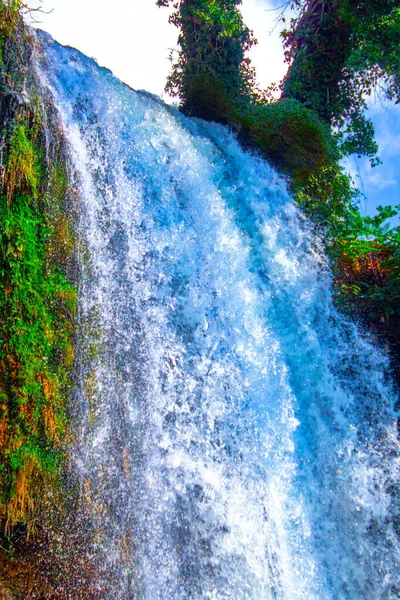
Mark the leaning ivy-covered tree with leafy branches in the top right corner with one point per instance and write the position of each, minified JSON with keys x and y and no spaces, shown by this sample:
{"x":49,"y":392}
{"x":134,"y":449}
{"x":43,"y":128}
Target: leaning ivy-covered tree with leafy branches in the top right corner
{"x":339,"y":52}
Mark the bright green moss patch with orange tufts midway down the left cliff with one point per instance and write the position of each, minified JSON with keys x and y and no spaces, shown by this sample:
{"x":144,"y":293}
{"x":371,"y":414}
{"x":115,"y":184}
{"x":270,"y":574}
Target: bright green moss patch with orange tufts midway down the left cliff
{"x":37,"y":350}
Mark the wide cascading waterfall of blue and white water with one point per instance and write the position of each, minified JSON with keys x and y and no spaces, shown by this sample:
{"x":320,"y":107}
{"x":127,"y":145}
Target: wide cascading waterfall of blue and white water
{"x":237,"y":437}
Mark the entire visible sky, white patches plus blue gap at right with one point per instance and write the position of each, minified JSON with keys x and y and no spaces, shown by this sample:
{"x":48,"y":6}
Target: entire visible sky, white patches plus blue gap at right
{"x":134,"y":40}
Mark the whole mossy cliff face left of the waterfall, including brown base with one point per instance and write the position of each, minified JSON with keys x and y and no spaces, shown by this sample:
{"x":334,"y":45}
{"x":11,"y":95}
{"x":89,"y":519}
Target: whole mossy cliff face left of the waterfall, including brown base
{"x":43,"y":544}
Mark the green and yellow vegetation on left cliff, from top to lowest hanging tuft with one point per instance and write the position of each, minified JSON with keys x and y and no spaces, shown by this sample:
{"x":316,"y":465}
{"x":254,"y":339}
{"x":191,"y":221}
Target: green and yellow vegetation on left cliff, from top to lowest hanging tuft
{"x":38,"y":300}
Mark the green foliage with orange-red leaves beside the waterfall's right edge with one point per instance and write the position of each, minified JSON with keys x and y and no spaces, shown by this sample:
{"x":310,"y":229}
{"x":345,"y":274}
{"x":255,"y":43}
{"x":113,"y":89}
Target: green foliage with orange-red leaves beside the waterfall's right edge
{"x":364,"y":251}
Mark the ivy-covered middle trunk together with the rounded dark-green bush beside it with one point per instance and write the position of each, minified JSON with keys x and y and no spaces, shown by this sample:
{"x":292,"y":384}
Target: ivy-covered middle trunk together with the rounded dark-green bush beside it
{"x":215,"y":81}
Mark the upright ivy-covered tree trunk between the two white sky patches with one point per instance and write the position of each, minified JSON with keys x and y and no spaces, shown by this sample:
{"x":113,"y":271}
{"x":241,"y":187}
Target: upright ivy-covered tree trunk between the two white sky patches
{"x":211,"y":74}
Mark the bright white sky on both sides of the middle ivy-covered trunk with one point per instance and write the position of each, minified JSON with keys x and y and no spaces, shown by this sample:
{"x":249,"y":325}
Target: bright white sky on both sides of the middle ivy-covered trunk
{"x":134,"y":39}
